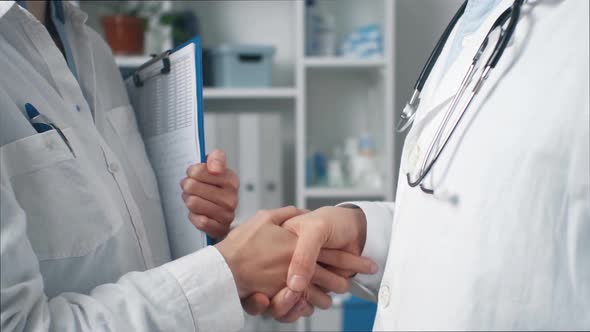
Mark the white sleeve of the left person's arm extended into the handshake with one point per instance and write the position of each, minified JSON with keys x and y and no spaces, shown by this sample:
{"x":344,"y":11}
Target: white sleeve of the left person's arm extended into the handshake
{"x":194,"y":293}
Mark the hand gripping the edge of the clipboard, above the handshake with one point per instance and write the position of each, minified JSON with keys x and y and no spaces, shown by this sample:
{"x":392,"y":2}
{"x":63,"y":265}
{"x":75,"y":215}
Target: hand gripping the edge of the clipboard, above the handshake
{"x":210,"y":192}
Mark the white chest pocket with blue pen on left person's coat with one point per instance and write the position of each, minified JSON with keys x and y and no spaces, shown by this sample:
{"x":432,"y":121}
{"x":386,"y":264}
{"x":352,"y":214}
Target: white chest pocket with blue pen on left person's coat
{"x":66,"y":214}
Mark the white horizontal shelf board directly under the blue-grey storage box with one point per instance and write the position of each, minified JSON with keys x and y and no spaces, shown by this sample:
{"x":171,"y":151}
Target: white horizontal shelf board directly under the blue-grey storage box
{"x":249,"y":93}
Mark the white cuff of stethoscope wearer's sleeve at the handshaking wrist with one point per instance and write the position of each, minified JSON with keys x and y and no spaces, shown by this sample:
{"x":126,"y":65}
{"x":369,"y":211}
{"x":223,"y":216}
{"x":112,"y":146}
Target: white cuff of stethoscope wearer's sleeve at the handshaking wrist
{"x":379,"y":216}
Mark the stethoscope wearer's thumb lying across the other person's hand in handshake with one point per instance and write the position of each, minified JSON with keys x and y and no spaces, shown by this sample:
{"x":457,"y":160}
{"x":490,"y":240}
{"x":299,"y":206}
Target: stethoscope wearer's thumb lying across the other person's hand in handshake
{"x":302,"y":267}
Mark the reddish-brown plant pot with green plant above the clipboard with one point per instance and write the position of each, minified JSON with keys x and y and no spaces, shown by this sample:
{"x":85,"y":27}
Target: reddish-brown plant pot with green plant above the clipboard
{"x":125,"y":23}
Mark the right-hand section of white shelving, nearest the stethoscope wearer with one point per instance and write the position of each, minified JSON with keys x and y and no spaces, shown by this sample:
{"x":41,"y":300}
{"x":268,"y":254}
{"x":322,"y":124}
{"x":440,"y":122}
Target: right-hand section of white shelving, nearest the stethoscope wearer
{"x":356,"y":95}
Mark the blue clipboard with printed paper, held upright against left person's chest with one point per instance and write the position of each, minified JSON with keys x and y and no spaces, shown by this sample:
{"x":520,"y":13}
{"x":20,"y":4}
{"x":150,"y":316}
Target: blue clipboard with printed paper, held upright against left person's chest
{"x":166,"y":94}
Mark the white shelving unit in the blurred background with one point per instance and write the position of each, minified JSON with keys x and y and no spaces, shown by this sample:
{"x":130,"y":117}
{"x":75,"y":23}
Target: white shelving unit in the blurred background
{"x":353,"y":95}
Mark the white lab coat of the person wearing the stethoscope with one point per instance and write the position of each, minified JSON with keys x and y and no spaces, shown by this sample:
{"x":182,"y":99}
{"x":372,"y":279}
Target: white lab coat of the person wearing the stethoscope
{"x":506,"y":242}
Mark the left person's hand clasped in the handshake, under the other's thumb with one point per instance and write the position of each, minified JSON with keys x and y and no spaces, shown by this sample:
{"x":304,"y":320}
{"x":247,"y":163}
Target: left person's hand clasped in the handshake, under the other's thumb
{"x":258,"y":254}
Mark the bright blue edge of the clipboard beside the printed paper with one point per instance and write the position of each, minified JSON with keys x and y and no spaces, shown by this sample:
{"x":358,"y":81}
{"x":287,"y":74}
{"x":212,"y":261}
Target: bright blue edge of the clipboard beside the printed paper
{"x":200,"y":111}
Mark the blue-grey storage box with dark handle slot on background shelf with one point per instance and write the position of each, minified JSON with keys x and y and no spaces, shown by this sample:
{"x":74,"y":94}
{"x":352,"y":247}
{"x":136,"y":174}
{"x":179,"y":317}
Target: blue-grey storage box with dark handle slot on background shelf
{"x":241,"y":65}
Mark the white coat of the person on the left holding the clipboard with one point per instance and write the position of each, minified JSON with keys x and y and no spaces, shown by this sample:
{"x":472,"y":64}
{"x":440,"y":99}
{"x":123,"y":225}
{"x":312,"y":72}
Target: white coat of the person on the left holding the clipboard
{"x":75,"y":225}
